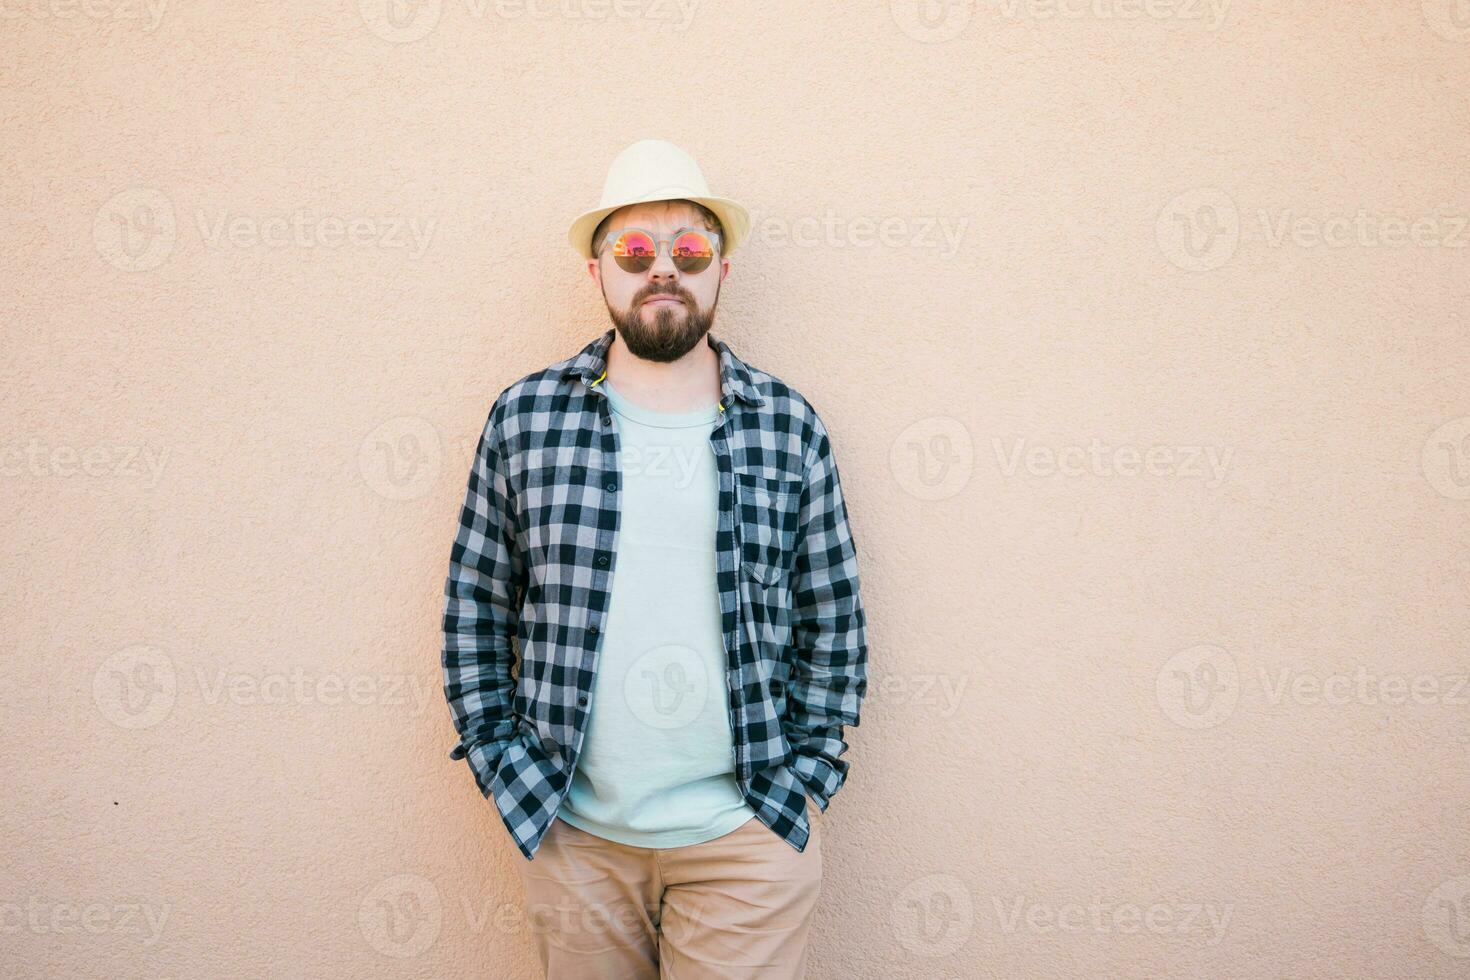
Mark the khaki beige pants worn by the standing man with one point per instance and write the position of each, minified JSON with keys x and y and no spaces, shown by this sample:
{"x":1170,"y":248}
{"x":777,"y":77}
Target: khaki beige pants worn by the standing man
{"x":731,"y":909}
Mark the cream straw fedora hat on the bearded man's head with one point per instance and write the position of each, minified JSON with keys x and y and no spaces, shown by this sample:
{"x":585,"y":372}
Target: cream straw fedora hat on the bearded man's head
{"x":658,"y":171}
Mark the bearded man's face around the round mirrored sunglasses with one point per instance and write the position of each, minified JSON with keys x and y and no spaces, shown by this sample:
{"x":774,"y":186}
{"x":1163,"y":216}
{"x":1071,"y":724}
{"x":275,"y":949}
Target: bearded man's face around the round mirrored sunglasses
{"x":661,"y":314}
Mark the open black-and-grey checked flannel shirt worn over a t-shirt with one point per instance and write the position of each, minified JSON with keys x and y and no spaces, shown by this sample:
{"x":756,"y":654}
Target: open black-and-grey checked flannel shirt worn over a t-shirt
{"x":533,"y":566}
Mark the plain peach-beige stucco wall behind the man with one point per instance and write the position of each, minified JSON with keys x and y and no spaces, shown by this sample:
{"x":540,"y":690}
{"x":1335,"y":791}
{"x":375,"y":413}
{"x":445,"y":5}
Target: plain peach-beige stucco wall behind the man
{"x":1141,"y":334}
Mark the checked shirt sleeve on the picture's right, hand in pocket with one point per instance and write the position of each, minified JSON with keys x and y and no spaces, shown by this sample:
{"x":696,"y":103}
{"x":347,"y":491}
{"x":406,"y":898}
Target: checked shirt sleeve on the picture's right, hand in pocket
{"x":830,"y":633}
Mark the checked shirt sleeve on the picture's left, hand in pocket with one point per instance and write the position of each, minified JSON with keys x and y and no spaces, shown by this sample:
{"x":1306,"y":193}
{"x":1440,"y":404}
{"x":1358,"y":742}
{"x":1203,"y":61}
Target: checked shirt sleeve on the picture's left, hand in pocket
{"x":481,"y":612}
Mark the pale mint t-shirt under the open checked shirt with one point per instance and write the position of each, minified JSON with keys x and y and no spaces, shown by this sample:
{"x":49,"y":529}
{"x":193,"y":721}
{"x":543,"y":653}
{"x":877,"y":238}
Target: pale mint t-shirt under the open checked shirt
{"x":658,"y":765}
